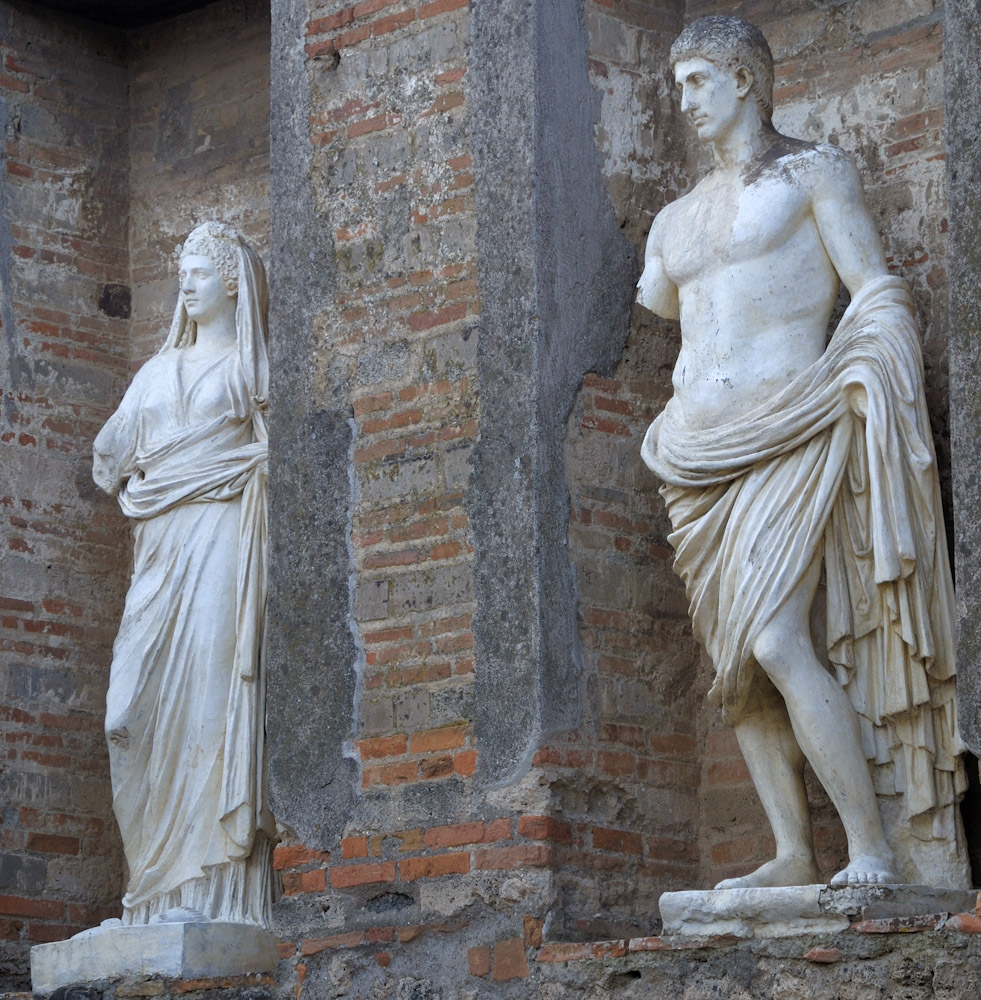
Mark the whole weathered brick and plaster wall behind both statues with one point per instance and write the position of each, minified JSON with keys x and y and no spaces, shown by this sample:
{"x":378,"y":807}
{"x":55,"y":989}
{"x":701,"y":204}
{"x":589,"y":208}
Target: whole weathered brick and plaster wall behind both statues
{"x":488,"y":742}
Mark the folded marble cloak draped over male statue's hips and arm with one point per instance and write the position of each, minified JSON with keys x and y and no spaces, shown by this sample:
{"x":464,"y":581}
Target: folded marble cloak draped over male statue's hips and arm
{"x":753,"y":503}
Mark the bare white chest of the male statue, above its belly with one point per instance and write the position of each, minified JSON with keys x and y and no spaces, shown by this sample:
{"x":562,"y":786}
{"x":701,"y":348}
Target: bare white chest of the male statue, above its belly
{"x":719,"y":225}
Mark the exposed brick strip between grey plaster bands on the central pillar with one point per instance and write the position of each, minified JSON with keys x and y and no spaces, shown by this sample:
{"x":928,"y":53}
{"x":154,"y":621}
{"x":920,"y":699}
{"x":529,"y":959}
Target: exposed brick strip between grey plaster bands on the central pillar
{"x":400,"y":336}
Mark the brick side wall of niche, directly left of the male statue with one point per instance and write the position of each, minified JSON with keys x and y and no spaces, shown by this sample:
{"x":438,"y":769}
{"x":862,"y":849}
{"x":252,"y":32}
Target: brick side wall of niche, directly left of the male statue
{"x":627,"y":781}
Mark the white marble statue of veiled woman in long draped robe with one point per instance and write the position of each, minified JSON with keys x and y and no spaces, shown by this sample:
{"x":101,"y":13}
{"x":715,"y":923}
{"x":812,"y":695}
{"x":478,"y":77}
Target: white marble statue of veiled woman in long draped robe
{"x":186,"y":454}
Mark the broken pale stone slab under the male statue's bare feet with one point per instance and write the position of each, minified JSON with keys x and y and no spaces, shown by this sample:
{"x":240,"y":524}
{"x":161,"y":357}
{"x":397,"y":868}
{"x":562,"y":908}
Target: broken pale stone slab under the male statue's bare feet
{"x":803,"y":909}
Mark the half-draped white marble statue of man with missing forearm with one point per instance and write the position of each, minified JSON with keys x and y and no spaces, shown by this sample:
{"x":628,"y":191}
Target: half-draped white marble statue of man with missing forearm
{"x":790,"y":466}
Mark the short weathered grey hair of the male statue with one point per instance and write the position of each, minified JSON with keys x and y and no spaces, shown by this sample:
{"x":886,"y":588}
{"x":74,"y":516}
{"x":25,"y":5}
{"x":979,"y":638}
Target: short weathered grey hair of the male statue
{"x":730,"y":44}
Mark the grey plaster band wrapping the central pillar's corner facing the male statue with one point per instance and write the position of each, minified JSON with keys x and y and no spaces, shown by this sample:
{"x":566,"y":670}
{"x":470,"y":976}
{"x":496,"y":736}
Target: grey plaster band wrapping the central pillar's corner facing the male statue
{"x":534,"y":348}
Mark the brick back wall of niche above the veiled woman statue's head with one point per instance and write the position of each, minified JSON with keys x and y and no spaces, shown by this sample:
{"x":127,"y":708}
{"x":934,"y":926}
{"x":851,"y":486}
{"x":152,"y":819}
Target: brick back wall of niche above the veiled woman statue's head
{"x":199,"y":146}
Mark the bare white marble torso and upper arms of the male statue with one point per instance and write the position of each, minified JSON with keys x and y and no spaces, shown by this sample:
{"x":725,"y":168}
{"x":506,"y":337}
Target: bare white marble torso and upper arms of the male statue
{"x":726,"y":260}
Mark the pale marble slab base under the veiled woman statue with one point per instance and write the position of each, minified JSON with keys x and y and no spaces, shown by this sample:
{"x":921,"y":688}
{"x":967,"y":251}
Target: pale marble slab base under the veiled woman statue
{"x":165,"y":950}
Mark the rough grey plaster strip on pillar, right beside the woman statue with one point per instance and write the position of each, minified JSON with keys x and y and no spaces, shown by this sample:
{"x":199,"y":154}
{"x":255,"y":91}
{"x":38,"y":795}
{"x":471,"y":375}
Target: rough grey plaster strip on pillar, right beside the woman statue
{"x":313,"y":659}
